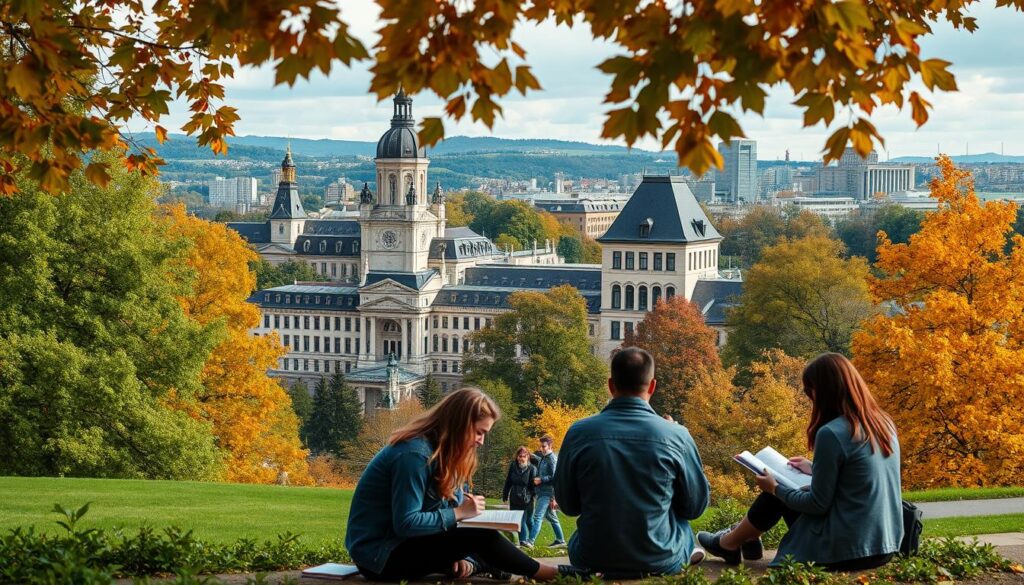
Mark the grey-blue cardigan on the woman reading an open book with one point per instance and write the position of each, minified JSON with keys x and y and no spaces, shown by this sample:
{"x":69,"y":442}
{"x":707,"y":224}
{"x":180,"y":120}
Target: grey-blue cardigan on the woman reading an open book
{"x":854,"y":509}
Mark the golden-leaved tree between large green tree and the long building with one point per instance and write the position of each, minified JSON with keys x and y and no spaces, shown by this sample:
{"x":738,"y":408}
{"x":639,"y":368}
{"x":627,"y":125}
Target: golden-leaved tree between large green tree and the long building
{"x":251,"y":414}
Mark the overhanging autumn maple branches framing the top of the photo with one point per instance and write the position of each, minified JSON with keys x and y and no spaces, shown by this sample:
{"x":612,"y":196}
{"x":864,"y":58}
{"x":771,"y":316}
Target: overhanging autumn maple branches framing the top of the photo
{"x":74,"y":72}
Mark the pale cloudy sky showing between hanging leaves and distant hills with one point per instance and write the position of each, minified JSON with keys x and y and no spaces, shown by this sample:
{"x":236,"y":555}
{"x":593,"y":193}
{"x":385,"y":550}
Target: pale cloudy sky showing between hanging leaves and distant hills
{"x":987,"y":115}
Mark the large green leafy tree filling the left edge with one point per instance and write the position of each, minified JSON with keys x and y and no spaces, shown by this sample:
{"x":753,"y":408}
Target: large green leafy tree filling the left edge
{"x":94,"y":339}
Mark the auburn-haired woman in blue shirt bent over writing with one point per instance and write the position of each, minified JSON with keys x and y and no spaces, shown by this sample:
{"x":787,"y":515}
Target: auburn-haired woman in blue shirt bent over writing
{"x":403,"y":524}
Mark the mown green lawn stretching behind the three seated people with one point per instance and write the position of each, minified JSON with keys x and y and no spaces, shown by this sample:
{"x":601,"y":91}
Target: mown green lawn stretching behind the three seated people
{"x":225,"y":513}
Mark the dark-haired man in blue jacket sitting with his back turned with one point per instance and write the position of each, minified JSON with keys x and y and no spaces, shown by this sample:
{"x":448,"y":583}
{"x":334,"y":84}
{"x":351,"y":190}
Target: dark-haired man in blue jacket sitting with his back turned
{"x":634,"y":479}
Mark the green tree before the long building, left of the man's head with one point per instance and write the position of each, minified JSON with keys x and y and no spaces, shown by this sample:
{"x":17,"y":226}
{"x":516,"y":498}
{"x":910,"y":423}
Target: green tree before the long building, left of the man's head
{"x":540,"y":348}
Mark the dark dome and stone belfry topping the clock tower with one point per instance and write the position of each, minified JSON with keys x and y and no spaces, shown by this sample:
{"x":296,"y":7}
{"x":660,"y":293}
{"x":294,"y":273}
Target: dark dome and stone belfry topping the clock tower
{"x":402,"y":162}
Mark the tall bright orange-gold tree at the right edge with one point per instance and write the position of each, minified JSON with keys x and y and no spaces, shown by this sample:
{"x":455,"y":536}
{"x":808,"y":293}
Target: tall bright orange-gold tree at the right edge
{"x":948,"y":360}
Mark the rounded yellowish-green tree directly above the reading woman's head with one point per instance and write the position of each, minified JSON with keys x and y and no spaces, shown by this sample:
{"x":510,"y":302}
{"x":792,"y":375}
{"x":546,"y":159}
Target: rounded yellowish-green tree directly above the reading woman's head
{"x":802,"y":298}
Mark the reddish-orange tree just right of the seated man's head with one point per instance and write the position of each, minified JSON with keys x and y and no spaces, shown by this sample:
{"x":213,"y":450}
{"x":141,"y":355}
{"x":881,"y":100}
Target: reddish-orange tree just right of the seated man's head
{"x":682,"y":346}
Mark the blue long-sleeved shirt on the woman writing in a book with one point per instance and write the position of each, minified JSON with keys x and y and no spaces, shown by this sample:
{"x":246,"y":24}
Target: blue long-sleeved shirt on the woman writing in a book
{"x":397,"y":499}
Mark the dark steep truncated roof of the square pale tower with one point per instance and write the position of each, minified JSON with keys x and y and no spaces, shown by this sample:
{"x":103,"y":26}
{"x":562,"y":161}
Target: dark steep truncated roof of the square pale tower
{"x":663,"y":211}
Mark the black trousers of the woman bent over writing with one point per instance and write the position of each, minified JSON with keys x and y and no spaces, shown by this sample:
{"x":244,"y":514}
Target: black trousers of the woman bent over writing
{"x":422,"y":556}
